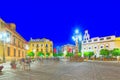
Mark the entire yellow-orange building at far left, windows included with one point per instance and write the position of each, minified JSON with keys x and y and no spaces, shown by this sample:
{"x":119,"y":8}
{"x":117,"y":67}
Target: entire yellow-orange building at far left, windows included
{"x":12,"y":44}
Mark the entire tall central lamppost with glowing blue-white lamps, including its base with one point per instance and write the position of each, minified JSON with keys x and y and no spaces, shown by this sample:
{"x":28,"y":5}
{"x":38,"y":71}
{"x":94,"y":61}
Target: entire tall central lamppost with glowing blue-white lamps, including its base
{"x":77,"y":37}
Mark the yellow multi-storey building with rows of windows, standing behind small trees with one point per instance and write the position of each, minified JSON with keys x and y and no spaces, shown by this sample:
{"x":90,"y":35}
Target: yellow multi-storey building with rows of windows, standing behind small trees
{"x":41,"y":45}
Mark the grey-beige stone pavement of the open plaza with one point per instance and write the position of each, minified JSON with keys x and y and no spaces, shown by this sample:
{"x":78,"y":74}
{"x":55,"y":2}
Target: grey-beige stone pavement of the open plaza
{"x":50,"y":70}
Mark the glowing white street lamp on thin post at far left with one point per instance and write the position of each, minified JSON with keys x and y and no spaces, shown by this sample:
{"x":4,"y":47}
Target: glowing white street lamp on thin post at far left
{"x":4,"y":38}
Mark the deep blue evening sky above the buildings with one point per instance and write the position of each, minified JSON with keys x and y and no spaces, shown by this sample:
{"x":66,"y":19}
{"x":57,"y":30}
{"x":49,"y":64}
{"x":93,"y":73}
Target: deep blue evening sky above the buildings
{"x":57,"y":20}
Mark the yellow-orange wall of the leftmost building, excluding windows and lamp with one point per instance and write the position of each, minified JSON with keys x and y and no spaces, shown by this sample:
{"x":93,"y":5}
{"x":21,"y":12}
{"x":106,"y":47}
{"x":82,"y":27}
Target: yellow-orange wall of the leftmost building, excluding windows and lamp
{"x":11,"y":29}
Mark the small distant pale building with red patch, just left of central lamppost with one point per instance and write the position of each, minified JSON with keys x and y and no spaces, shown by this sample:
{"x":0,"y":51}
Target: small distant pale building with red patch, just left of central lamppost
{"x":68,"y":48}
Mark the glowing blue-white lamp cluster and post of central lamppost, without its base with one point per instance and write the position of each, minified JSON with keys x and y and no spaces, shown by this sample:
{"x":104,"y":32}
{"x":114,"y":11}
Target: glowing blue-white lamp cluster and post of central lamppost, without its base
{"x":77,"y":37}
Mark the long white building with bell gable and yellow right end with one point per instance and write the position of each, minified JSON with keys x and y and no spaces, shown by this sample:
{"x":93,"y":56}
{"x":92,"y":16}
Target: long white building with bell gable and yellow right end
{"x":98,"y":43}
